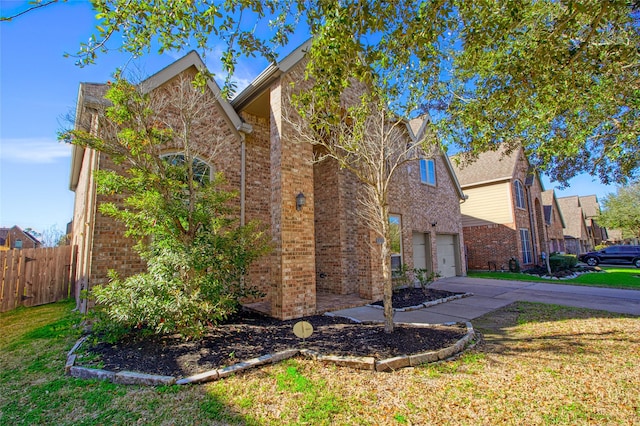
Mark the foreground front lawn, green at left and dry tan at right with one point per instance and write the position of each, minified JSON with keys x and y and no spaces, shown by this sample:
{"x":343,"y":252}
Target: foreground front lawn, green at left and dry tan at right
{"x":539,"y":364}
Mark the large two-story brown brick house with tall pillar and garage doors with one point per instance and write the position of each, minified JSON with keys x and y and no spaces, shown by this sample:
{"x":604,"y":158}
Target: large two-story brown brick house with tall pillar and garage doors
{"x":322,"y":250}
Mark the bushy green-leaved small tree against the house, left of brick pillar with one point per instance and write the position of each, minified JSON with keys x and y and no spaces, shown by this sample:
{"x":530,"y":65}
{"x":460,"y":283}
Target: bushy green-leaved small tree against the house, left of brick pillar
{"x":174,"y":206}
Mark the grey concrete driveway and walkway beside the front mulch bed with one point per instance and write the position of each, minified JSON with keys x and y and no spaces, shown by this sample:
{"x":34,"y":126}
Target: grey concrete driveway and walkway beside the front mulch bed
{"x":490,"y":295}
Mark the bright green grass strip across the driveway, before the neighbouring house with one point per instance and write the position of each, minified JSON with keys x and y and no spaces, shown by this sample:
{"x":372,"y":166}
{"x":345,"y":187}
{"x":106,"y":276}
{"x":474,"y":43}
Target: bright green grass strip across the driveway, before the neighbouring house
{"x":610,"y":277}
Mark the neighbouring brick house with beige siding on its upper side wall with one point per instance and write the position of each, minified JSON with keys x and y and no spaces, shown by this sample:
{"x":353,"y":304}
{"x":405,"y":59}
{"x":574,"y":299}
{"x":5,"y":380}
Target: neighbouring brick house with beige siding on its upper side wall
{"x":503,"y":216}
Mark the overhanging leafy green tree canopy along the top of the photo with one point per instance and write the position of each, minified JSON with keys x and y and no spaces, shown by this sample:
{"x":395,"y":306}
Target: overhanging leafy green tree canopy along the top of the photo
{"x":560,"y":78}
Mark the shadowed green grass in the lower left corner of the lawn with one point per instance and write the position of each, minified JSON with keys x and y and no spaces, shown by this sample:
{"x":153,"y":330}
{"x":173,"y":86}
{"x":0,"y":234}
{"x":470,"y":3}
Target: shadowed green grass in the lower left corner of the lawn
{"x":35,"y":389}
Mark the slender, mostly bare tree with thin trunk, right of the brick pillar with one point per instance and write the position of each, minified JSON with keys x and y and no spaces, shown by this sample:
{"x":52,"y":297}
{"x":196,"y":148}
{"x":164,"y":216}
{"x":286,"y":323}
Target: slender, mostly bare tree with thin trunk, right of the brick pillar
{"x":372,"y":144}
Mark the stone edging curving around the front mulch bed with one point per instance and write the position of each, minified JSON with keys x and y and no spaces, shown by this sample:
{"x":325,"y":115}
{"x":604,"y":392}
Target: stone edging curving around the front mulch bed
{"x":361,"y":363}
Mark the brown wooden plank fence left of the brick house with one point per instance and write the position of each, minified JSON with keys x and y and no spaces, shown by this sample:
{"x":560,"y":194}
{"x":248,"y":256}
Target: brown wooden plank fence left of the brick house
{"x":32,"y":277}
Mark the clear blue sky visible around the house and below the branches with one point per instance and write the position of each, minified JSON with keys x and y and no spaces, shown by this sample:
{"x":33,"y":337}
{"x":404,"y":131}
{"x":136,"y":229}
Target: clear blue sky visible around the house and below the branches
{"x":38,"y":88}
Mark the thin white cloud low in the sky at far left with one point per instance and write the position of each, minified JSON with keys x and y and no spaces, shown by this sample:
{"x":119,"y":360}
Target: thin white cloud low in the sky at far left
{"x":33,"y":150}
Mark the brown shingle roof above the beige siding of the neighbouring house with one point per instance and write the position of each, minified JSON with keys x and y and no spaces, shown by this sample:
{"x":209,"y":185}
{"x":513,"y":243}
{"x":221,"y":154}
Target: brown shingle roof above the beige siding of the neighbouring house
{"x":491,"y":166}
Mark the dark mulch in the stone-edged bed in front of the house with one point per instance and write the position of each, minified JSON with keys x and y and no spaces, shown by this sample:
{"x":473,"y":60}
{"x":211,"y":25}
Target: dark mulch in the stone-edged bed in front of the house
{"x":249,"y":335}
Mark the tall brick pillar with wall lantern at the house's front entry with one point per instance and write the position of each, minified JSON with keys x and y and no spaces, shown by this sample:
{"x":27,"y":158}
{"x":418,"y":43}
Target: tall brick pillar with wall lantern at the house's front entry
{"x":293,"y":271}
